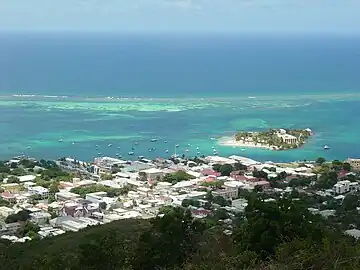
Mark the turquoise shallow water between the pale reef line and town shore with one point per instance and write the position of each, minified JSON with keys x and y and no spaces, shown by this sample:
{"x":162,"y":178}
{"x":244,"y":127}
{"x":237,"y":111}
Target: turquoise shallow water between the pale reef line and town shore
{"x":82,"y":124}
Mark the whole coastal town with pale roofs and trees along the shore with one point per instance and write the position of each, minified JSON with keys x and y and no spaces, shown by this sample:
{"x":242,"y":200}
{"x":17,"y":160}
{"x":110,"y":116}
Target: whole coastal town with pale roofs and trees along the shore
{"x":41,"y":198}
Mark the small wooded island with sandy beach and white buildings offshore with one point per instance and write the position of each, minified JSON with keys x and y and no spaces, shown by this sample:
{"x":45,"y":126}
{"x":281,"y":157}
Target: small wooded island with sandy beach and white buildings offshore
{"x":273,"y":139}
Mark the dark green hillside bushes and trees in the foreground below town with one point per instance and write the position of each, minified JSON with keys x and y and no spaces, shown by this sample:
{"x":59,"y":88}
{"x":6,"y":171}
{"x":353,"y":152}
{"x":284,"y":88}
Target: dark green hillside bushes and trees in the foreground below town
{"x":269,"y":235}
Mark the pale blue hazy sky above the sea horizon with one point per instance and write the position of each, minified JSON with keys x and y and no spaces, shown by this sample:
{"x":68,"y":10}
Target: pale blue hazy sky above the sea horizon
{"x":189,"y":16}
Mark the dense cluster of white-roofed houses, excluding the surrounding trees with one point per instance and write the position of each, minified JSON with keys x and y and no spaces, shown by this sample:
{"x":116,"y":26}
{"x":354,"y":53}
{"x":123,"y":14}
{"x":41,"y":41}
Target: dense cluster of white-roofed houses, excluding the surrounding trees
{"x":148,"y":191}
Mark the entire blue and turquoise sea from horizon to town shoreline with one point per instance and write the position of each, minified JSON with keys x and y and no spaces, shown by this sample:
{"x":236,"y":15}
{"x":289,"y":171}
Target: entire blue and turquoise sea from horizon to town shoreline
{"x":92,"y":95}
